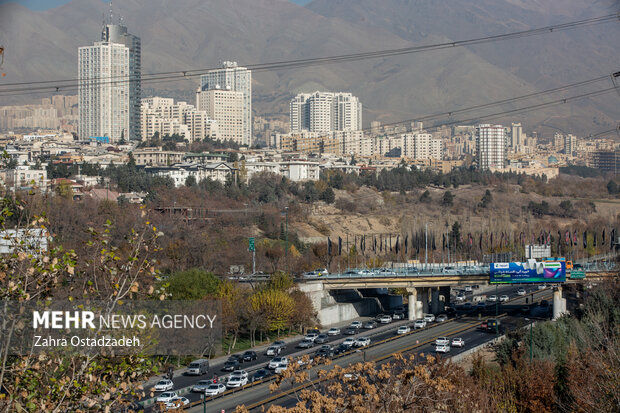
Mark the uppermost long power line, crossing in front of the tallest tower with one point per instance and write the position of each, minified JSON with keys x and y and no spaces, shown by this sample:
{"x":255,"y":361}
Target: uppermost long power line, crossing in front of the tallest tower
{"x":69,"y":84}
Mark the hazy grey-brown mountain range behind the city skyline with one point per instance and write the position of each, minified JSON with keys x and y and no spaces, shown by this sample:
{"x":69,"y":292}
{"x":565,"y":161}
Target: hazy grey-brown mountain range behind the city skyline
{"x":192,"y":34}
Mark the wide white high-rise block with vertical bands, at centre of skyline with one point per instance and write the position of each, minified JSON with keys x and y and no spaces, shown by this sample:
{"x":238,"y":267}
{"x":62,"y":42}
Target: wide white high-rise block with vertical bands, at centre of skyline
{"x":325,"y":112}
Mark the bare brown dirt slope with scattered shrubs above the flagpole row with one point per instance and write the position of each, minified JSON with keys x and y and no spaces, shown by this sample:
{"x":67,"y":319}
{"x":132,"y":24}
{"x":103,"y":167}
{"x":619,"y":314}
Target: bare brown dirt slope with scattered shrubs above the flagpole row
{"x":368,"y":212}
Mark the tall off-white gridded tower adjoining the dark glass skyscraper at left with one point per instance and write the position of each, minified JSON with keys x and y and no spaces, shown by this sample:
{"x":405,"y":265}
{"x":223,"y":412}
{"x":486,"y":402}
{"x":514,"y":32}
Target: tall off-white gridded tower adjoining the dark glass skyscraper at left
{"x":103,"y":105}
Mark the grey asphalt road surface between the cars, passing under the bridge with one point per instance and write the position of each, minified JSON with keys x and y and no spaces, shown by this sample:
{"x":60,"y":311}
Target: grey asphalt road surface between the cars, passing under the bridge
{"x":256,"y":393}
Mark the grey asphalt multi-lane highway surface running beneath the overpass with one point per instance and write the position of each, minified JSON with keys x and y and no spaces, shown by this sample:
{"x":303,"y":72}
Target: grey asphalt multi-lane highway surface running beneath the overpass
{"x":419,"y":340}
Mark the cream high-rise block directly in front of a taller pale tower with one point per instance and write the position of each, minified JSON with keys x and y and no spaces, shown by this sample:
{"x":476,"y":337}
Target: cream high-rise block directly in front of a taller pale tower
{"x":226,"y":108}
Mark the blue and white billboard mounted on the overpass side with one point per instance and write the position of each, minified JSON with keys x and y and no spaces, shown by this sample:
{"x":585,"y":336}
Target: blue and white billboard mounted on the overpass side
{"x":530,"y":271}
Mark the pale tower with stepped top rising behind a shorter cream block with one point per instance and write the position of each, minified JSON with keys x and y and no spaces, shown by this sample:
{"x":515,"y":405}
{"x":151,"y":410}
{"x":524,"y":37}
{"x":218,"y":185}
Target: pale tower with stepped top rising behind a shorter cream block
{"x":234,"y":78}
